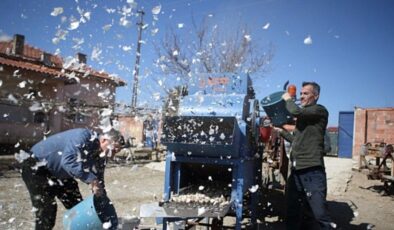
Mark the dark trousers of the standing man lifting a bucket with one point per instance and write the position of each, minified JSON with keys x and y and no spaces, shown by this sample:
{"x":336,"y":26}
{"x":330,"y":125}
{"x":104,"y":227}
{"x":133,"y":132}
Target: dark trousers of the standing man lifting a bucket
{"x":306,"y":200}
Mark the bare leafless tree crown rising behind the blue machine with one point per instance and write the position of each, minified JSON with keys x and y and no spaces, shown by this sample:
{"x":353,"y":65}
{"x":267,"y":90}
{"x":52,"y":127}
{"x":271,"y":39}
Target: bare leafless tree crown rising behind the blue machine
{"x":210,"y":50}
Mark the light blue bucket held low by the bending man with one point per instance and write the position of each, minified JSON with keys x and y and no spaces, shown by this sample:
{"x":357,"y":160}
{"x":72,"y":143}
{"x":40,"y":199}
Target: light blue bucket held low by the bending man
{"x":90,"y":214}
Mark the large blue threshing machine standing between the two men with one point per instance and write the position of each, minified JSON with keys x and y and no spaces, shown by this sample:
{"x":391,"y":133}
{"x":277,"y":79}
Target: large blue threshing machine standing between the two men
{"x":212,"y":143}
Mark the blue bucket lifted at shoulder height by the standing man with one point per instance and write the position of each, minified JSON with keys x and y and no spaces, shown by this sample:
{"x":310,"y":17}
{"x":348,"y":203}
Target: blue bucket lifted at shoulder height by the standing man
{"x":275,"y":108}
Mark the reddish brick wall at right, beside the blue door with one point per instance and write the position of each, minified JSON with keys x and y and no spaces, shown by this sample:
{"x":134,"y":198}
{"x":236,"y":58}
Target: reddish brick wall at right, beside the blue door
{"x":372,"y":125}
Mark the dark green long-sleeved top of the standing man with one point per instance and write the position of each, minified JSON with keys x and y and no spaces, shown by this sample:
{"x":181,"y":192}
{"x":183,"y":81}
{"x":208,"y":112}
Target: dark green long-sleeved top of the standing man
{"x":308,"y":137}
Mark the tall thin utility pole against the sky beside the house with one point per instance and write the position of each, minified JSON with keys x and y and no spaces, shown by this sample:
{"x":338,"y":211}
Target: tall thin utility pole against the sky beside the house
{"x":140,"y":25}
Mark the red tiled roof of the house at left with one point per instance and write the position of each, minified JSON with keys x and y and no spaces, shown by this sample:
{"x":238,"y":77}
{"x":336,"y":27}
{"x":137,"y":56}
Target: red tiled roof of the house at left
{"x":31,"y":60}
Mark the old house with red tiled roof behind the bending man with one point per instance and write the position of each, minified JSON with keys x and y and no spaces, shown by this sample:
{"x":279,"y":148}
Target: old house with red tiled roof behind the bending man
{"x":41,"y":94}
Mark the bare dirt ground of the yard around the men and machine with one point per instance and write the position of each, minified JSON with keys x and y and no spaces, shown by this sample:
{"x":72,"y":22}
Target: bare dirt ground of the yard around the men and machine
{"x":354,"y":201}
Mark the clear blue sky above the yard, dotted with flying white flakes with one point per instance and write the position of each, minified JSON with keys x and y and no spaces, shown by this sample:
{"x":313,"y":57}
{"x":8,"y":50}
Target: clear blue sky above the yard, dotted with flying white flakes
{"x":351,"y":54}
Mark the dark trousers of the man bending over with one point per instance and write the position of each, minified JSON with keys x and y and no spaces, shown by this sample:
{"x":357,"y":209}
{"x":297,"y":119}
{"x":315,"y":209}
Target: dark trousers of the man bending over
{"x":43,"y":189}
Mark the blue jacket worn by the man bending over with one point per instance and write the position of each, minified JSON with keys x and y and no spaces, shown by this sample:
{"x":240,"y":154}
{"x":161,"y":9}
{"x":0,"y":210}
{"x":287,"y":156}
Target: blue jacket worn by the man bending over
{"x":72,"y":154}
